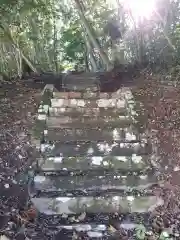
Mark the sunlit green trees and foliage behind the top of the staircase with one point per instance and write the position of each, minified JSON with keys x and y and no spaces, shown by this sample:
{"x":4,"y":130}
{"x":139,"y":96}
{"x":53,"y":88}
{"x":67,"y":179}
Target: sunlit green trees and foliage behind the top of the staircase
{"x":51,"y":34}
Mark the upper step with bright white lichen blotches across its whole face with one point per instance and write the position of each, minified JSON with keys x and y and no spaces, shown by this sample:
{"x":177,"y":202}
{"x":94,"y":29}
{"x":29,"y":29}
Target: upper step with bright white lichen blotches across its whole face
{"x":90,"y":103}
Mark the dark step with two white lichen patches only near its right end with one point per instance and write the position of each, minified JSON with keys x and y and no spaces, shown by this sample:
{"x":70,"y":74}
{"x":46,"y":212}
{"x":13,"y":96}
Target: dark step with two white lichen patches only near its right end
{"x":89,"y":134}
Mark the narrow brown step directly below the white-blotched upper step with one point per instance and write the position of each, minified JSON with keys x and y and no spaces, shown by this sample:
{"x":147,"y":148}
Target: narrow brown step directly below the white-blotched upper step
{"x":79,"y":111}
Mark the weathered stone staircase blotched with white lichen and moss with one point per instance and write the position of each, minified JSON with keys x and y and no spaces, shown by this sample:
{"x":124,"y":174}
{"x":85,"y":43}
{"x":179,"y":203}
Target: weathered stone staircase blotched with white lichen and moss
{"x":96,"y":163}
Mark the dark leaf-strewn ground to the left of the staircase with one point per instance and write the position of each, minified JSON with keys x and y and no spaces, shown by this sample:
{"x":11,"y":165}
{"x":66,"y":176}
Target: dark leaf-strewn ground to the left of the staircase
{"x":18,"y":105}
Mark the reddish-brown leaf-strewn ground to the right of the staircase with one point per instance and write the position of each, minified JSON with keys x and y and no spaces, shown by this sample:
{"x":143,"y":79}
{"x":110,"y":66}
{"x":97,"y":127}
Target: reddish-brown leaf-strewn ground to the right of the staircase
{"x":162,"y":108}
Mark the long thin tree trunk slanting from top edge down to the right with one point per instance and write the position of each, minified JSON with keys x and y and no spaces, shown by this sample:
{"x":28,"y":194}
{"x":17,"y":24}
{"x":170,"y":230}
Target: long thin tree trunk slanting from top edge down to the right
{"x":91,"y":36}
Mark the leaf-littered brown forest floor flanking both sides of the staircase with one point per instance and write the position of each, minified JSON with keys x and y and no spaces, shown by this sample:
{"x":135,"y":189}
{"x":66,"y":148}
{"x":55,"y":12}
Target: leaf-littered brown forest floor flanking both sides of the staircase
{"x":18,"y":107}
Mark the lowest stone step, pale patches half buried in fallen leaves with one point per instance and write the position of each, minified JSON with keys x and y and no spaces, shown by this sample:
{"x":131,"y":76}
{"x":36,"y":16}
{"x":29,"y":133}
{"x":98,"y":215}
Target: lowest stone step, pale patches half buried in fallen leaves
{"x":93,"y":230}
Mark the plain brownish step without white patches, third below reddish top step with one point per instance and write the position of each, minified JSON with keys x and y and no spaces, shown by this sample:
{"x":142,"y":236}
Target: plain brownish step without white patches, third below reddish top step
{"x":87,"y":122}
